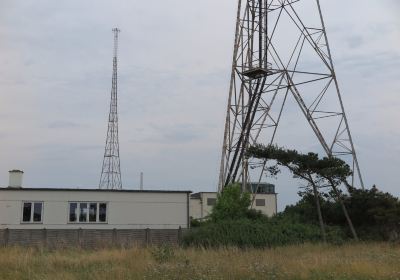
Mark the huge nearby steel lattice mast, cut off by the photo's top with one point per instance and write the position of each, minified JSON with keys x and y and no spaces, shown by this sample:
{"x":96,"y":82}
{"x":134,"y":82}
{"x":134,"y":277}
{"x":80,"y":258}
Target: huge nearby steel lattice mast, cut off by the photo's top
{"x":281,"y":49}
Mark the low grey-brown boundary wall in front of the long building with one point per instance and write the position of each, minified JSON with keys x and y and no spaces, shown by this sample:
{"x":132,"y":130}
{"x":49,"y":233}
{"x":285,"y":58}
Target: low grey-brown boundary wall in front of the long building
{"x":90,"y":238}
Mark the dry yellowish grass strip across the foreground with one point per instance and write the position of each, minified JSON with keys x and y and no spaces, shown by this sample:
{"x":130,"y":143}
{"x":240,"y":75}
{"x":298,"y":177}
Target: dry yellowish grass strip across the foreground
{"x":350,"y":261}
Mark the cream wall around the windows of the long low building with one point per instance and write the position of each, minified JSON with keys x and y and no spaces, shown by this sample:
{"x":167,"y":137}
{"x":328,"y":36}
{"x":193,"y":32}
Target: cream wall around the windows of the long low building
{"x":126,"y":210}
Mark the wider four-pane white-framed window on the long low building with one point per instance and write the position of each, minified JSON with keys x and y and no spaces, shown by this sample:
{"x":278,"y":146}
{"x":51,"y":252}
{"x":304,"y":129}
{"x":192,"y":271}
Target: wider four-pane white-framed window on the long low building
{"x":87,"y":212}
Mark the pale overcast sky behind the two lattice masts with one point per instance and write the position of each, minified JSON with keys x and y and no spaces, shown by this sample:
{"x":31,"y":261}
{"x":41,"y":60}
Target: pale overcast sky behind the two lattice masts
{"x":174,"y":69}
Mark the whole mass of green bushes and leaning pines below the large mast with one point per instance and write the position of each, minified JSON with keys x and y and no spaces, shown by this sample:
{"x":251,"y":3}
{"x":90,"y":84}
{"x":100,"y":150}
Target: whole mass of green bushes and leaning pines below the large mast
{"x":325,"y":212}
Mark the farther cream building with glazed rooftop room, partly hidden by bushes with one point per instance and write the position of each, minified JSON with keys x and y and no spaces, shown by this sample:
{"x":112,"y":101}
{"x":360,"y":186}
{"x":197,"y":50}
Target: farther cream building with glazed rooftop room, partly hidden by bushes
{"x":265,"y":200}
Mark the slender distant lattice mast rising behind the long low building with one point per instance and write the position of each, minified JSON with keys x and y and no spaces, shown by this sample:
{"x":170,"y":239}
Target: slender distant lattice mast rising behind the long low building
{"x":111,"y":171}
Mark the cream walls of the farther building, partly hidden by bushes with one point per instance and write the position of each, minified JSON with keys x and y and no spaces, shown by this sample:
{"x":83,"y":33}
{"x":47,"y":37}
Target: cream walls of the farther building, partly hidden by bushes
{"x":199,"y":208}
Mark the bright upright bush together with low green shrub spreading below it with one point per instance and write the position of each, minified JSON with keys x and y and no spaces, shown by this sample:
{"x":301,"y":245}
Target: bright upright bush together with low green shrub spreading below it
{"x":232,"y":223}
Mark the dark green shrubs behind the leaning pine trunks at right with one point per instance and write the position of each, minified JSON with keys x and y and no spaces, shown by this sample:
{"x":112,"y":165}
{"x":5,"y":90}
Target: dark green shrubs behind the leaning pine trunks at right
{"x":375,"y":214}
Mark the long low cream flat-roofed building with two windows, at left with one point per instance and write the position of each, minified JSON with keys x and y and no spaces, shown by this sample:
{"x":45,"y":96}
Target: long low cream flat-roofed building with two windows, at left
{"x":38,"y":208}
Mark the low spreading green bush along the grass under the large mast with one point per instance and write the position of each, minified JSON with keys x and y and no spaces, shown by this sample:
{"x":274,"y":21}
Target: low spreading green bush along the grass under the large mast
{"x":246,"y":233}
